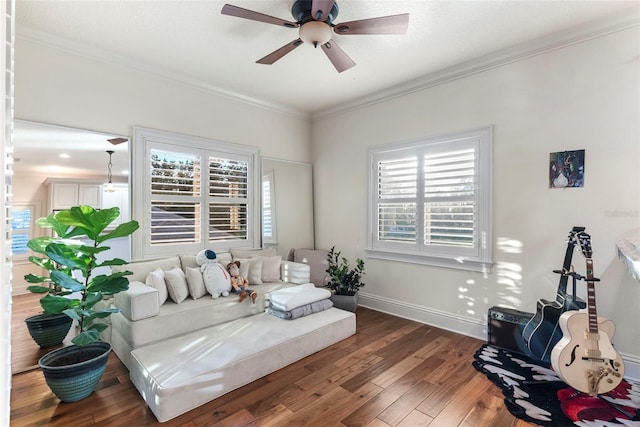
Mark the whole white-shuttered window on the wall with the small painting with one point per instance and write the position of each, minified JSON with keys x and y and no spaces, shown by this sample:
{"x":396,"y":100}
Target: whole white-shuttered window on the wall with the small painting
{"x":430,"y":201}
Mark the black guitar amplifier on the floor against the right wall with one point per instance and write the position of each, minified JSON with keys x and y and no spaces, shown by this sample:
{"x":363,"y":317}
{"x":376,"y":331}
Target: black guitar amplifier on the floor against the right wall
{"x":505,"y":329}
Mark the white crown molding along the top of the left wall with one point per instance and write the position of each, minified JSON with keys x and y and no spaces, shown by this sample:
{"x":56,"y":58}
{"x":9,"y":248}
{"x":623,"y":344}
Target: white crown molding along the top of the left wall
{"x":109,"y":57}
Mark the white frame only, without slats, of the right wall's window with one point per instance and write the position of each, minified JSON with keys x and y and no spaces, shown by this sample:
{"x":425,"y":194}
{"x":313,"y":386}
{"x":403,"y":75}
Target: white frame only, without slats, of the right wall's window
{"x":476,"y":258}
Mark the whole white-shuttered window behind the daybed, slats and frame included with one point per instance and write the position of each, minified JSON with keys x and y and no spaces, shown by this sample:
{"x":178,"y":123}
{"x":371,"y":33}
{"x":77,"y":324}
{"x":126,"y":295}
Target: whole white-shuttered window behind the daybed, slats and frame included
{"x":192,"y":194}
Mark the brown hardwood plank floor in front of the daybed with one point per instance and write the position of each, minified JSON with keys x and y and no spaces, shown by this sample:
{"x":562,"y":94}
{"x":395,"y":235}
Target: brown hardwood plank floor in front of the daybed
{"x":393,"y":372}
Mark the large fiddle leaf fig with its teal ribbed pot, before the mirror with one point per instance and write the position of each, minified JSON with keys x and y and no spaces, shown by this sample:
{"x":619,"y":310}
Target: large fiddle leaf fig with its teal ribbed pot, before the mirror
{"x":74,"y":289}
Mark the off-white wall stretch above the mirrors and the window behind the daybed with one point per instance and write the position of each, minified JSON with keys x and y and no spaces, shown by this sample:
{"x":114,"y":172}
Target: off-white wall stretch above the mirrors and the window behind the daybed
{"x":58,"y":87}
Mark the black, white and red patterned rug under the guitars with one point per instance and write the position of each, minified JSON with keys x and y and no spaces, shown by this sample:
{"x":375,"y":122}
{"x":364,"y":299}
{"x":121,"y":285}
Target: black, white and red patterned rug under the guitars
{"x":535,"y":394}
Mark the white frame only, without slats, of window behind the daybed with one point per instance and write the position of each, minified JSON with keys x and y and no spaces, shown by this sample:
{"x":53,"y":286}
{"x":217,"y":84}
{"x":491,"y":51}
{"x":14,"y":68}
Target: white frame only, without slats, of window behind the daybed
{"x":145,"y":140}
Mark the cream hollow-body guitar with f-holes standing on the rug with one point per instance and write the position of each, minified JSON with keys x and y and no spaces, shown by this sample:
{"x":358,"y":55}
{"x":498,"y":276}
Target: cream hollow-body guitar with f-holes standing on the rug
{"x":584,"y":357}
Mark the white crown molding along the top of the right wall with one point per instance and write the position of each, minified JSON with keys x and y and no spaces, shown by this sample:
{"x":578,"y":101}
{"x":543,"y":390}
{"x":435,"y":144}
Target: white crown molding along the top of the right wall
{"x":614,"y":23}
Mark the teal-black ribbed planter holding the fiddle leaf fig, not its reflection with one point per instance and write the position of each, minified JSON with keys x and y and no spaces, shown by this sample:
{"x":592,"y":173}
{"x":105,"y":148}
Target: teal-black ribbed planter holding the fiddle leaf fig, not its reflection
{"x":71,"y":382}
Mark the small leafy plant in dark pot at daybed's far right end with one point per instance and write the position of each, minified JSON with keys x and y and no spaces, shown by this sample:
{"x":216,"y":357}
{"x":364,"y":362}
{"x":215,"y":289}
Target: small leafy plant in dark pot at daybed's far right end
{"x":344,"y":281}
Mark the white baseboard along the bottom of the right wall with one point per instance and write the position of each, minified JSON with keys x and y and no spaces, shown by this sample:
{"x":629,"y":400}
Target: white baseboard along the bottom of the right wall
{"x":457,"y":323}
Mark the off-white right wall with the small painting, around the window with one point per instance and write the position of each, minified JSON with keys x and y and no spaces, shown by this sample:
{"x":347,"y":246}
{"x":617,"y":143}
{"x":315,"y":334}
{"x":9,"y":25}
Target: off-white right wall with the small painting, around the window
{"x":583,"y":96}
